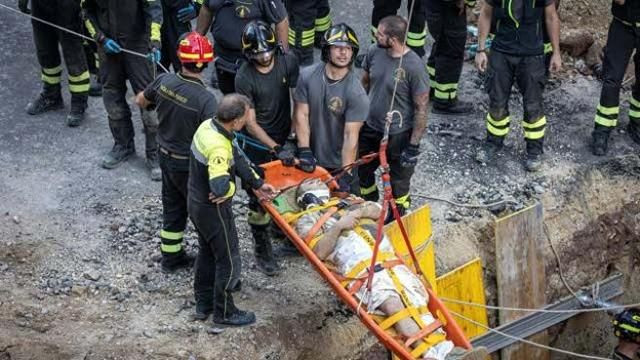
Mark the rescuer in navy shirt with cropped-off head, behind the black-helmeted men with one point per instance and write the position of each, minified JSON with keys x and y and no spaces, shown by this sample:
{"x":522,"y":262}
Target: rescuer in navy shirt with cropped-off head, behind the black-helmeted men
{"x":227,"y":19}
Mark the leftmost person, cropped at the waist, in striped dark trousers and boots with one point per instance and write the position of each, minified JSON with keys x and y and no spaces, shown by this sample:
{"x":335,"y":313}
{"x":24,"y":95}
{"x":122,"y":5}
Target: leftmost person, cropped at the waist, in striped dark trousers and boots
{"x":65,"y":13}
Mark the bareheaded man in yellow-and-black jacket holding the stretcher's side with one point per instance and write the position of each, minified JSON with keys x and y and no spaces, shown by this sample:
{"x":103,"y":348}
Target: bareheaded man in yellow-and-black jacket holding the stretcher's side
{"x":215,"y":162}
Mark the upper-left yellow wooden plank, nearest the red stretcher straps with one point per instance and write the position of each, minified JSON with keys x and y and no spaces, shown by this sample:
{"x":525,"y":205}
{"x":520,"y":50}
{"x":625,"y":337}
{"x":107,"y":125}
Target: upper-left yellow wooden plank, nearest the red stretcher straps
{"x":418,"y":226}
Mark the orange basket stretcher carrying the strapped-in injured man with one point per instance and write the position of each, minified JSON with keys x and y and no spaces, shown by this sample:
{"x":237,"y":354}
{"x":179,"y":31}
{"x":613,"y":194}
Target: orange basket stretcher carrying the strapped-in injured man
{"x":283,"y":178}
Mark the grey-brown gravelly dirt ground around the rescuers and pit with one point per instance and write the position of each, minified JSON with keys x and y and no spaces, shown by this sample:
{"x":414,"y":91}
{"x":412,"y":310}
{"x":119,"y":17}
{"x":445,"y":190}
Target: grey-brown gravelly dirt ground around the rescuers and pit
{"x":78,"y":276}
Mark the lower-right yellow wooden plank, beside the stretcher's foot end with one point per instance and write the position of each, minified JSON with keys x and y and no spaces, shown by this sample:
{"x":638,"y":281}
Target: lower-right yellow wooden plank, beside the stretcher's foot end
{"x":465,"y":283}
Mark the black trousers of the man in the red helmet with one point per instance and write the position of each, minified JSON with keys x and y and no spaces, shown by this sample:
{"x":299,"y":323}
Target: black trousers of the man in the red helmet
{"x":175,"y":176}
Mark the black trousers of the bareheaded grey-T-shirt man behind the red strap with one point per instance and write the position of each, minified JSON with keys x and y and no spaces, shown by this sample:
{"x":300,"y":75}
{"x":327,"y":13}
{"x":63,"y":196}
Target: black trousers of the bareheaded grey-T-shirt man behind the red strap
{"x":369,"y":142}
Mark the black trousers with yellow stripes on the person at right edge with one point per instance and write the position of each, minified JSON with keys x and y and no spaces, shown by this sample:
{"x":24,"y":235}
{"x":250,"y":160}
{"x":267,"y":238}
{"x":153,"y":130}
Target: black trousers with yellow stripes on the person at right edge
{"x":621,"y":42}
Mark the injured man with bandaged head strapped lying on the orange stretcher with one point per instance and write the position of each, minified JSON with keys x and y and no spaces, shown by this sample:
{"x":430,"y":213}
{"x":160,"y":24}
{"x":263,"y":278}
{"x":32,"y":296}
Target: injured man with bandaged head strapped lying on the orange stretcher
{"x":345,"y":241}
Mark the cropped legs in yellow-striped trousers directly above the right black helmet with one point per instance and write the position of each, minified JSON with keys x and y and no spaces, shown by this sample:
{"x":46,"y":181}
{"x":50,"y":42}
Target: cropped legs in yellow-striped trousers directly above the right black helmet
{"x":308,"y":21}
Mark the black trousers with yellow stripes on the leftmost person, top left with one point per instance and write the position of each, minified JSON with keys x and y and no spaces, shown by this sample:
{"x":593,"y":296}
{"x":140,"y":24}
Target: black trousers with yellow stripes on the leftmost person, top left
{"x":64,"y":13}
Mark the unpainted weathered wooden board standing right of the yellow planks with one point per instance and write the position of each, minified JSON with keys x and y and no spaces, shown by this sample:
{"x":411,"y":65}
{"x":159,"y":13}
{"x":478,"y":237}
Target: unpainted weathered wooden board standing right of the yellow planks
{"x":520,"y":274}
